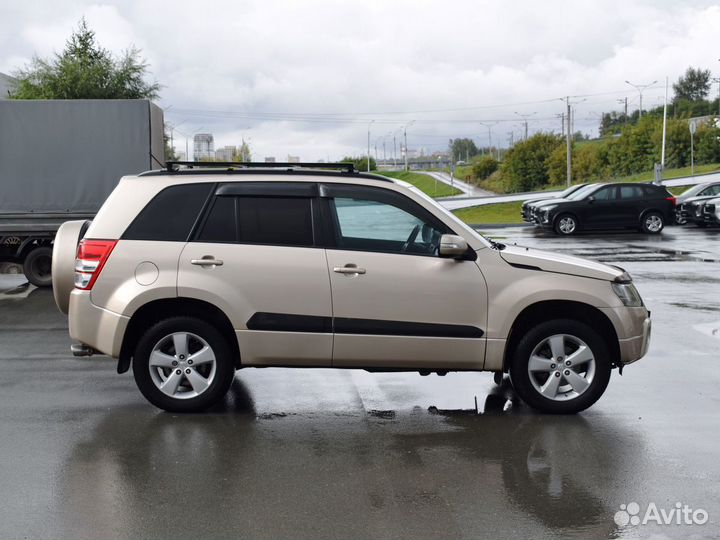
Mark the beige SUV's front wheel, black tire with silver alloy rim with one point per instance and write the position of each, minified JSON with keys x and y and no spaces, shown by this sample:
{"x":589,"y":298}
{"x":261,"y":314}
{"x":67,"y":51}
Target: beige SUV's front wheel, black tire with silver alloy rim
{"x":532,"y":380}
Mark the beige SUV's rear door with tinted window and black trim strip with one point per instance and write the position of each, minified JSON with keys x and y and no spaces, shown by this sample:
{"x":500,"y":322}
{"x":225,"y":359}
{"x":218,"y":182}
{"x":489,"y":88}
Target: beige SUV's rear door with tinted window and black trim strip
{"x":255,"y":256}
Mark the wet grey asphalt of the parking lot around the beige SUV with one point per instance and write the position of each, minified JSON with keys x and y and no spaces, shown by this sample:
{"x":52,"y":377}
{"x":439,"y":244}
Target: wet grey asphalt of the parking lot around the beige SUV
{"x":346,"y":454}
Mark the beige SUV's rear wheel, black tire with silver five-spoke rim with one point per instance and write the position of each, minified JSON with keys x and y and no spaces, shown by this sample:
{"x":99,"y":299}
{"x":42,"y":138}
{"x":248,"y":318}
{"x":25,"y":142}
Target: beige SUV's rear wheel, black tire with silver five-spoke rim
{"x":207,"y":360}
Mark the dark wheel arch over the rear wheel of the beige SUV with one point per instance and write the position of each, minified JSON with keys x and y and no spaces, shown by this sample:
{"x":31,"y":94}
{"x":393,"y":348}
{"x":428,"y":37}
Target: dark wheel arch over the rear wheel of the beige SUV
{"x":157,"y":310}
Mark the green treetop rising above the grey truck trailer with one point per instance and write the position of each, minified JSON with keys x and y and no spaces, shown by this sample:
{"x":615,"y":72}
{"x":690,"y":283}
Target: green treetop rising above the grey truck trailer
{"x":84,"y":70}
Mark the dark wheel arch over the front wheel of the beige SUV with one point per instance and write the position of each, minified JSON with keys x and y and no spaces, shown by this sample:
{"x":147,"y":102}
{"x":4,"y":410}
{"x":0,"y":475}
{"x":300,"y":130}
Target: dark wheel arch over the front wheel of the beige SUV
{"x":561,"y":309}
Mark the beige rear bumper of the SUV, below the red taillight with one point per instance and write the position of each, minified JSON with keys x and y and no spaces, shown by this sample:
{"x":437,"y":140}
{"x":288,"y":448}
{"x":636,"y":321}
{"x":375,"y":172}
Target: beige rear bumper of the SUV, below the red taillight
{"x":95,"y":327}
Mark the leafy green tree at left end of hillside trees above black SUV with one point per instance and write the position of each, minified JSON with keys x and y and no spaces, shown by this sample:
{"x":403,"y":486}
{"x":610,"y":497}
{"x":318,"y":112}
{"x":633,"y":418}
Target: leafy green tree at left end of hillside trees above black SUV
{"x":525,"y":166}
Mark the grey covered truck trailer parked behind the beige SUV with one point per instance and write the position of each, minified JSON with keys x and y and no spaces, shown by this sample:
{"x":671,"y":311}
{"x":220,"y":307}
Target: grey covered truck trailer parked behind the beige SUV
{"x":59,"y":160}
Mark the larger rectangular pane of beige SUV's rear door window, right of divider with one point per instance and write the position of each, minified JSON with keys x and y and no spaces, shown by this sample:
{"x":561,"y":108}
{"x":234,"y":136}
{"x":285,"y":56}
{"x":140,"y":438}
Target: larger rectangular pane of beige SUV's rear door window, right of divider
{"x":283,"y":221}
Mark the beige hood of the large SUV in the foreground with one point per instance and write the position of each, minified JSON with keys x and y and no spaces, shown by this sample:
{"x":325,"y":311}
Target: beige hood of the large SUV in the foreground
{"x":535,"y":259}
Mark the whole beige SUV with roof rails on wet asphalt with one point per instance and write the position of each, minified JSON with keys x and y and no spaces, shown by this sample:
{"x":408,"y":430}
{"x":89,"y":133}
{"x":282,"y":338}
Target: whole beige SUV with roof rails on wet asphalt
{"x":190,"y":273}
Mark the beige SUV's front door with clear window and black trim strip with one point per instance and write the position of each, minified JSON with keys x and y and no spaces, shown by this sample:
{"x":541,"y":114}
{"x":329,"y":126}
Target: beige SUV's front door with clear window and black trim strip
{"x":396,"y":302}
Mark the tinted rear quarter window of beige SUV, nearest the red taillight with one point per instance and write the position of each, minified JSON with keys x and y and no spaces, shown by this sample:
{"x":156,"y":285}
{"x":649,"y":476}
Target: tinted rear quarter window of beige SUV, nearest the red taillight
{"x":170,"y":215}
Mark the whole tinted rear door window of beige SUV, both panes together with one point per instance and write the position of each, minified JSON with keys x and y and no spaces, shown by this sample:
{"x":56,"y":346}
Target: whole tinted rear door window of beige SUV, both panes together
{"x":283,"y":221}
